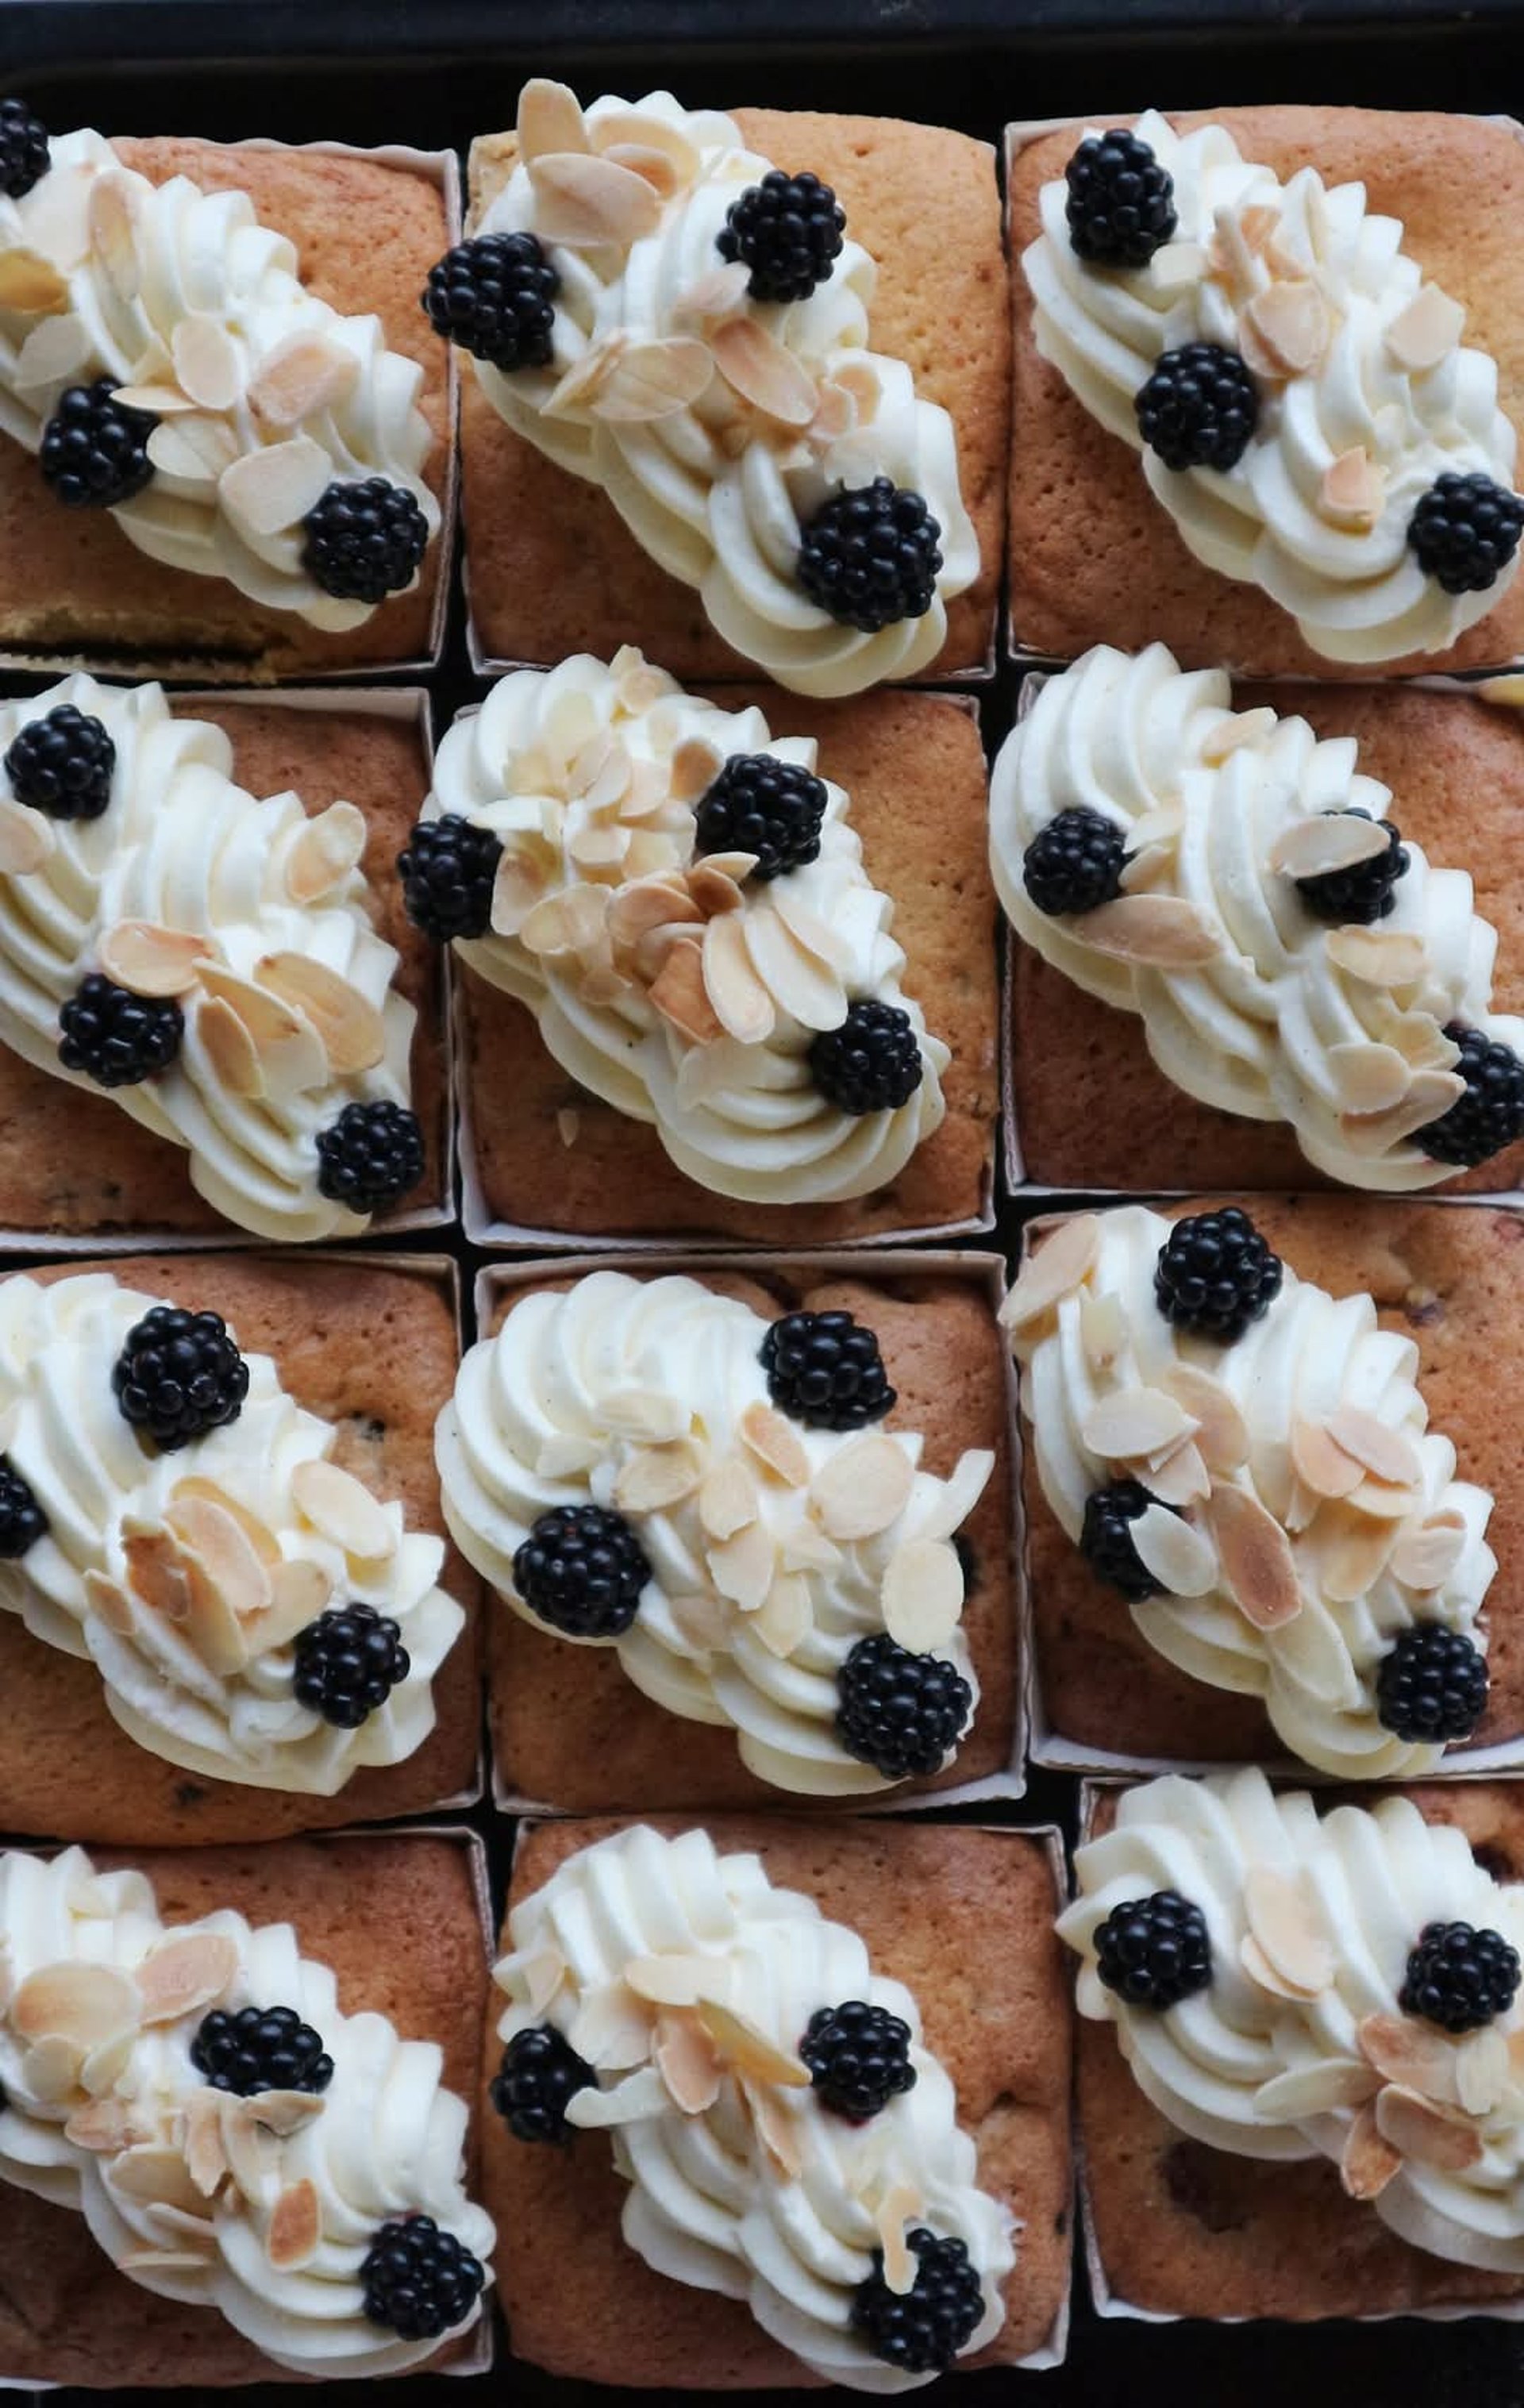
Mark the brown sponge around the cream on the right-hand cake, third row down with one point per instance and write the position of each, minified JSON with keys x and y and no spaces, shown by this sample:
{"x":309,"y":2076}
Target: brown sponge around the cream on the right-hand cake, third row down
{"x":1448,"y":1280}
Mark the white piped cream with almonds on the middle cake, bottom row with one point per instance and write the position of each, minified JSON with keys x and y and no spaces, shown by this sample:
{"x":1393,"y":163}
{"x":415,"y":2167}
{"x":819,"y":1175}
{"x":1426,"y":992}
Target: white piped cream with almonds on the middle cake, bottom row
{"x":685,"y":1981}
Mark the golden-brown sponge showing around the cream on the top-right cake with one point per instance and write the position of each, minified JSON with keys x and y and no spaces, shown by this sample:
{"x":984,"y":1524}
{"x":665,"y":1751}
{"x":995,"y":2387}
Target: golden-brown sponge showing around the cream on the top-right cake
{"x":1458,"y":184}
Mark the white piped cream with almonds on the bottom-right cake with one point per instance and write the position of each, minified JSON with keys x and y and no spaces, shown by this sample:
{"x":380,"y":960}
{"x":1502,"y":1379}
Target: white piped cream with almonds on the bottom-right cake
{"x":1301,"y":2046}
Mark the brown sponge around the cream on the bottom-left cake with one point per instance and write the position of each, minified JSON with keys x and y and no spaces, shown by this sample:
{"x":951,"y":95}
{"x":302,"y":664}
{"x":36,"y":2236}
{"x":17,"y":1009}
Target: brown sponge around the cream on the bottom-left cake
{"x":71,"y":2318}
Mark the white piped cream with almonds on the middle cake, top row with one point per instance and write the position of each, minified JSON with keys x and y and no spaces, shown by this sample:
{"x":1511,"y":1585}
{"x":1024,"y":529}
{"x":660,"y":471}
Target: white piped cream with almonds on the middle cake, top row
{"x":714,"y":423}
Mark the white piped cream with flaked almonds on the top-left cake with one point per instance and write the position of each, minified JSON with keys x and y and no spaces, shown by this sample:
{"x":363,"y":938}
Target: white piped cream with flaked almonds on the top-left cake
{"x":264,"y":394}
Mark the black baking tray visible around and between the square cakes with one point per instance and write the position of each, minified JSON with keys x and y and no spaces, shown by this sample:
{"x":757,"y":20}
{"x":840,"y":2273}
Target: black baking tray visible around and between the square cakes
{"x":442,"y":71}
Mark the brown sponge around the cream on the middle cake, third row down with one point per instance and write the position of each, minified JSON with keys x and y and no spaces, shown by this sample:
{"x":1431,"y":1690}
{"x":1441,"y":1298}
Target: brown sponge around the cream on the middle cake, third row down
{"x":572,"y":1730}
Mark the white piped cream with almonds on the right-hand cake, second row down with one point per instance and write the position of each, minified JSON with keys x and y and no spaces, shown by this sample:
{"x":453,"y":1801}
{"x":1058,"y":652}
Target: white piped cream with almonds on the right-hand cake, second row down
{"x":1248,"y":1001}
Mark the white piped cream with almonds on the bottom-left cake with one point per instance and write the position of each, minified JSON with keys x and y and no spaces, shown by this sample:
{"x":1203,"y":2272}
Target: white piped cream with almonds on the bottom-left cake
{"x":256,"y":2207}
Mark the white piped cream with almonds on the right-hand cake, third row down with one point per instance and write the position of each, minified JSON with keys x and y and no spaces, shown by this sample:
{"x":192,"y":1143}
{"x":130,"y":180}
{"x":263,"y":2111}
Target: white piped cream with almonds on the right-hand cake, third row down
{"x":1318,"y":1516}
